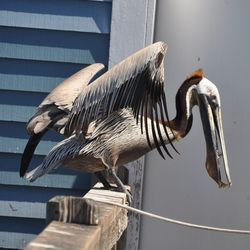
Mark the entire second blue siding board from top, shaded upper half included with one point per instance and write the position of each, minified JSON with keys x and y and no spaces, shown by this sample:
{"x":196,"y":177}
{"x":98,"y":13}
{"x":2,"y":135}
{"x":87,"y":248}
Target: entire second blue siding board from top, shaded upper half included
{"x":61,"y":46}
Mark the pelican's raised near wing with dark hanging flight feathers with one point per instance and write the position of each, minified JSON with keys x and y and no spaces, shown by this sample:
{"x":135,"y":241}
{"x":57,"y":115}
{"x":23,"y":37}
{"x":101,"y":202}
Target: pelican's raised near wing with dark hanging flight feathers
{"x":136,"y":82}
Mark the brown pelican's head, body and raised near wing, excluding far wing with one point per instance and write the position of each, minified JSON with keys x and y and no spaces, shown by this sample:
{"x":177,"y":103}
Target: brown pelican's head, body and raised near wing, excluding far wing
{"x":122,"y":115}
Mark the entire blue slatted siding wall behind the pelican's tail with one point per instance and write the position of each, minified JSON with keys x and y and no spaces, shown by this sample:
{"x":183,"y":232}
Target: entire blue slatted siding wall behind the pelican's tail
{"x":41,"y":43}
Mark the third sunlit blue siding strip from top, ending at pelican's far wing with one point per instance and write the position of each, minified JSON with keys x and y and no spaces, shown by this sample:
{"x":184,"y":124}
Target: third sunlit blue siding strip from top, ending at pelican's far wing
{"x":28,"y":83}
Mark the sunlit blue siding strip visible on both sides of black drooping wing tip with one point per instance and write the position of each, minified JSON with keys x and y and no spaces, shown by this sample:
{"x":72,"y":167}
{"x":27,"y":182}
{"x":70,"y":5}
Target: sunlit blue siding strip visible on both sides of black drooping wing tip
{"x":16,"y":145}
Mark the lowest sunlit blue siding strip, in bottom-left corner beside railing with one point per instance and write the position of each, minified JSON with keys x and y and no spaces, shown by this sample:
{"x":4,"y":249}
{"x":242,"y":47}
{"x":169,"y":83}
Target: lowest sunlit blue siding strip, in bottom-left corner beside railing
{"x":13,"y":240}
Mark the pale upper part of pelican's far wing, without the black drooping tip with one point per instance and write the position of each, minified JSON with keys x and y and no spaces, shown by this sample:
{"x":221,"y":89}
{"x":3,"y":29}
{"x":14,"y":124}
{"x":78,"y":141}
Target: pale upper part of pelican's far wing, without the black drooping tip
{"x":56,"y":106}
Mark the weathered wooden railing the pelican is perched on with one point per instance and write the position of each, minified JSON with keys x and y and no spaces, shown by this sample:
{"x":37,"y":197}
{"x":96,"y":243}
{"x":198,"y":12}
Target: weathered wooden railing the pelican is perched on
{"x":82,"y":223}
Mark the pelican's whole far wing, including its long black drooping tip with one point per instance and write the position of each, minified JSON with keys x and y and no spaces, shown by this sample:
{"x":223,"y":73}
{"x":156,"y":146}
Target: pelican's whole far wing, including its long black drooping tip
{"x":52,"y":113}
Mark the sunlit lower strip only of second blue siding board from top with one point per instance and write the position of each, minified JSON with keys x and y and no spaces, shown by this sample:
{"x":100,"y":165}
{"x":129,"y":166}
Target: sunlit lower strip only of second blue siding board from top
{"x":43,"y":53}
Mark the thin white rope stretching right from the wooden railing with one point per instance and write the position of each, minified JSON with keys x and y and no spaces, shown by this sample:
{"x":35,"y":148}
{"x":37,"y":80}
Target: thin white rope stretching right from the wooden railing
{"x":182,"y":223}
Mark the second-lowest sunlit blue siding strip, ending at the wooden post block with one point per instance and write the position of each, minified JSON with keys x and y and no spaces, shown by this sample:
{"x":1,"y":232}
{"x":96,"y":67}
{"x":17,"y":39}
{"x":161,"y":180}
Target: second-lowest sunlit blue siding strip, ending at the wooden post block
{"x":23,"y":209}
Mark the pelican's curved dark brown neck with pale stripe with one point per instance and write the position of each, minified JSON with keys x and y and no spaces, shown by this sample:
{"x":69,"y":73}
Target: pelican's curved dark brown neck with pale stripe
{"x":185,"y":100}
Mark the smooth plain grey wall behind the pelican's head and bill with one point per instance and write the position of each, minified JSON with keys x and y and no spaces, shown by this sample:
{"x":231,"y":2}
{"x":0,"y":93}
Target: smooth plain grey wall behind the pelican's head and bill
{"x":214,"y":35}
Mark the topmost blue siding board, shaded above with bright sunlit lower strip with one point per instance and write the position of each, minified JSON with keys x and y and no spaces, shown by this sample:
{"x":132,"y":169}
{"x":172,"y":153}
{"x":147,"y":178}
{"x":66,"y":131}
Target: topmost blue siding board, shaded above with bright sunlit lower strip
{"x":80,"y":16}
